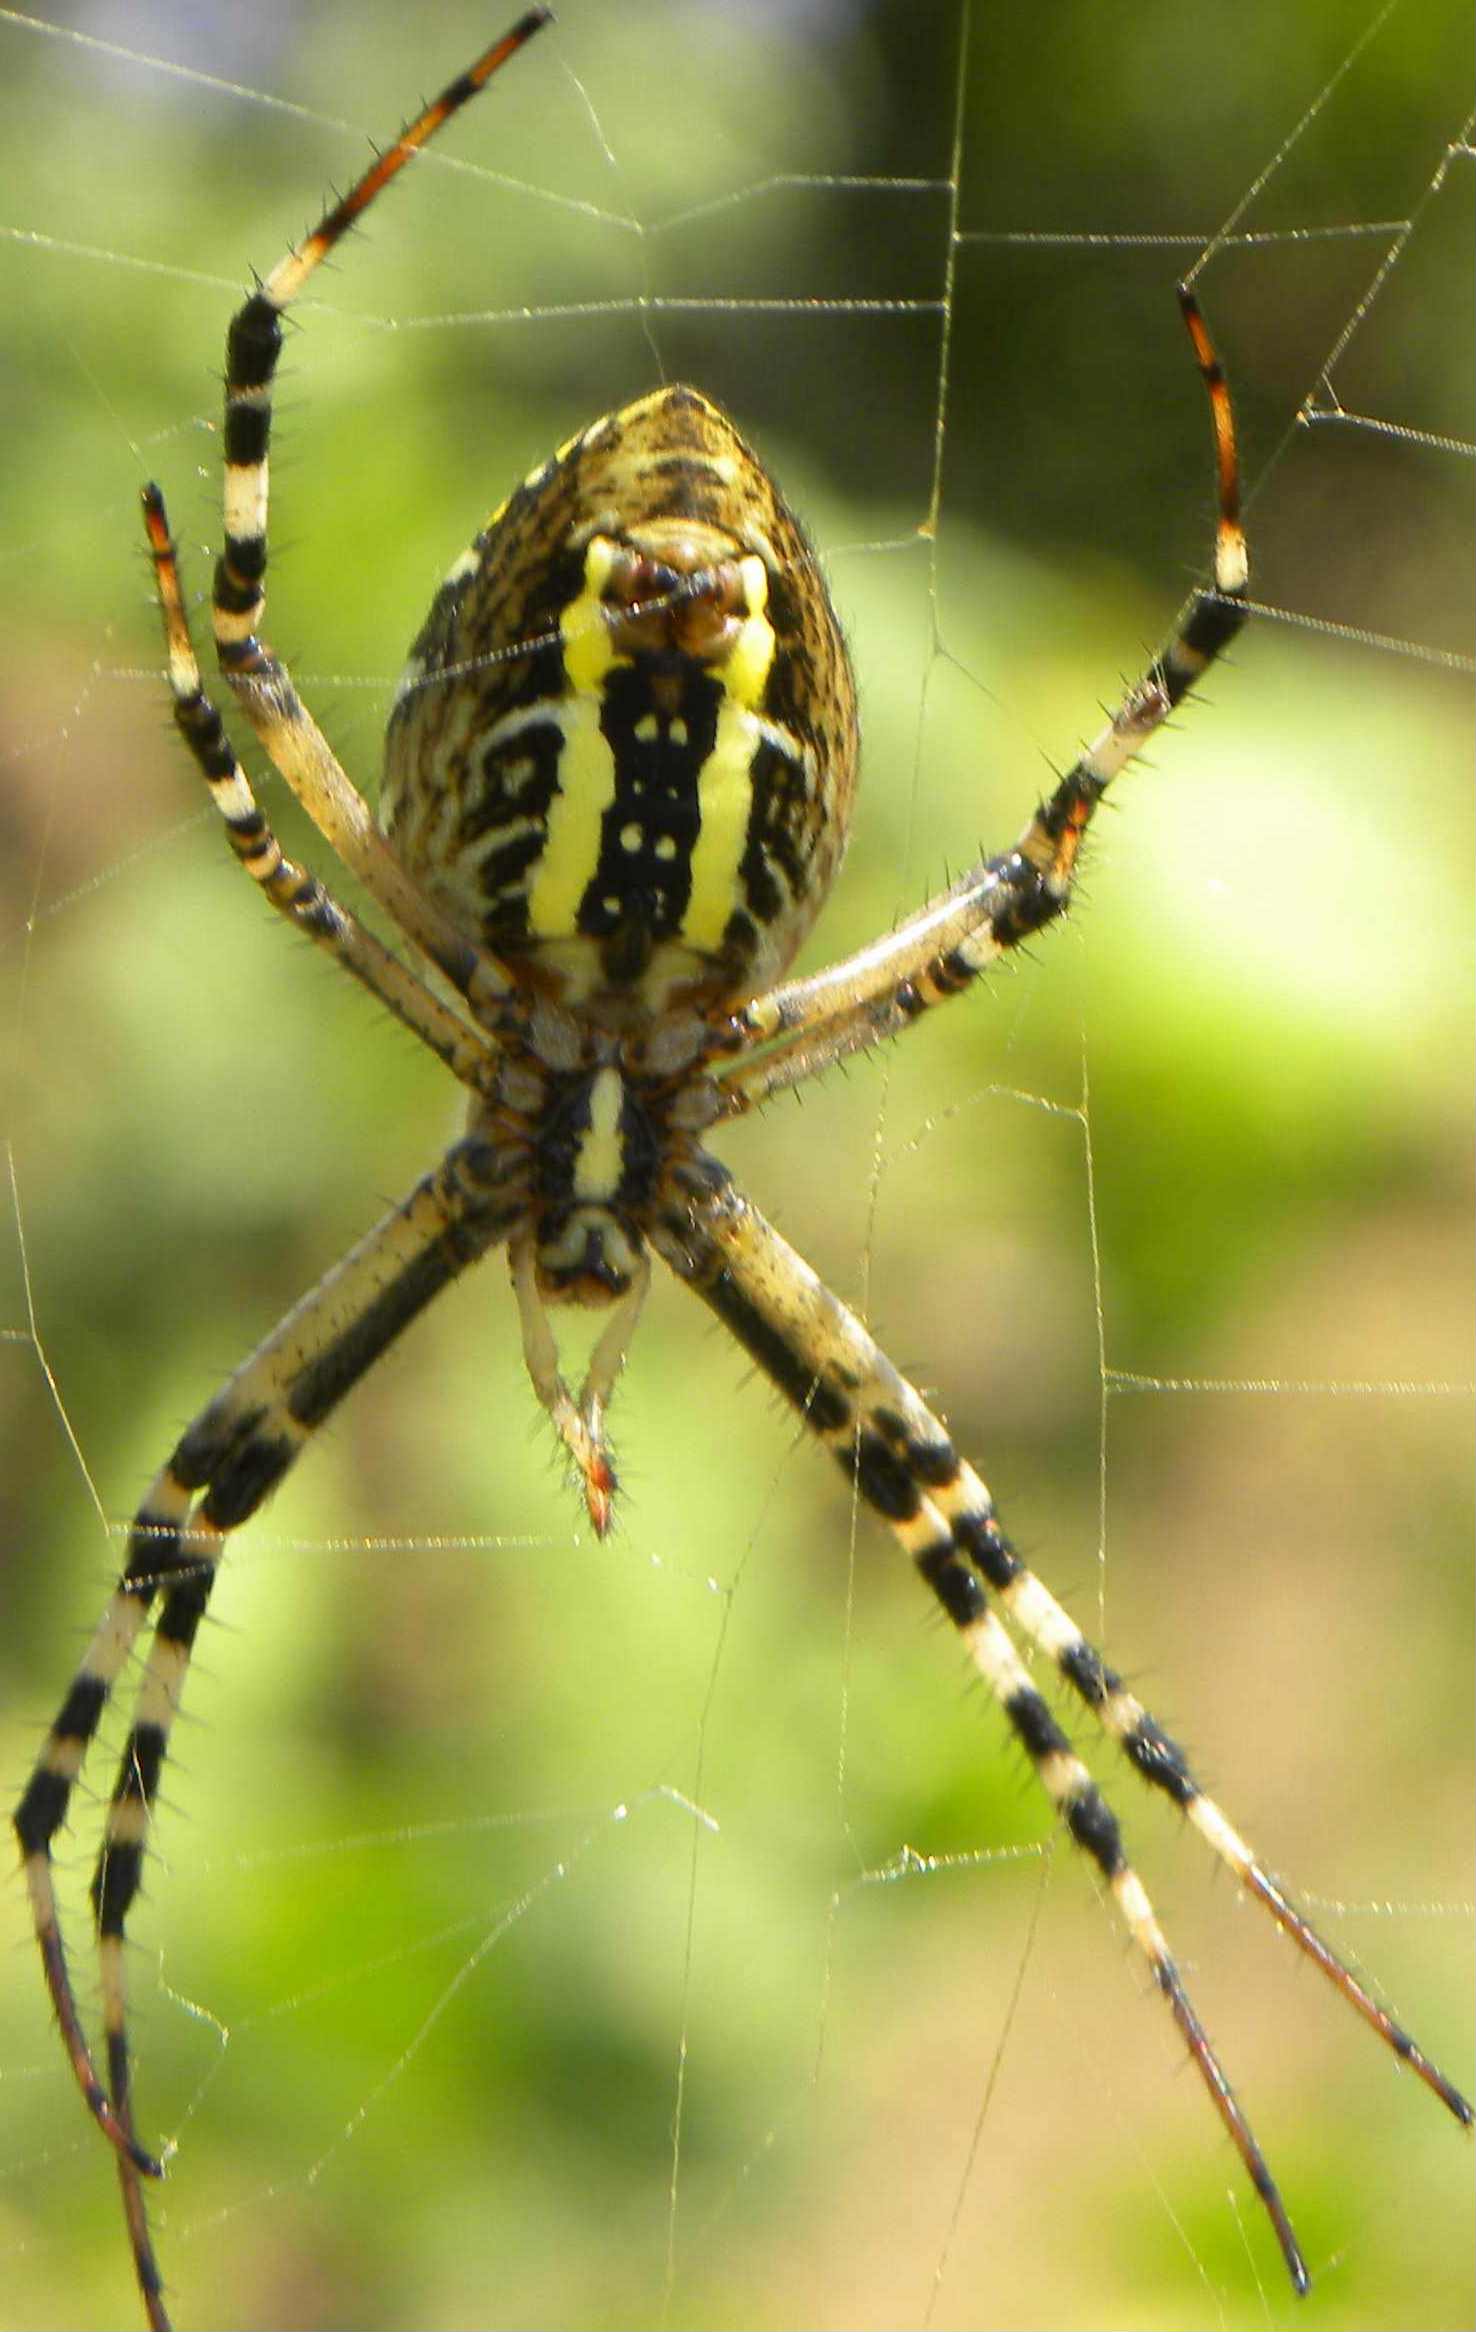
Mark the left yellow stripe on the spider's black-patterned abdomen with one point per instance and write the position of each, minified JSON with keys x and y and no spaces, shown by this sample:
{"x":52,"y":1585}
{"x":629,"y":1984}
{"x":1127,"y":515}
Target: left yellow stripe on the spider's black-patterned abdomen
{"x":586,"y":757}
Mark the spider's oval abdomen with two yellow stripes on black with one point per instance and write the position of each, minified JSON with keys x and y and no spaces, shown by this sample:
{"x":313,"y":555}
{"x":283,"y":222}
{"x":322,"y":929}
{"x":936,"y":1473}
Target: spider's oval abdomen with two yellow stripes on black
{"x":624,"y":750}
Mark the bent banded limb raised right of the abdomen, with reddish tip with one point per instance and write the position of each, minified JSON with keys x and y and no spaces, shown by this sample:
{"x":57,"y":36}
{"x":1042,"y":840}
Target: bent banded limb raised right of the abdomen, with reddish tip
{"x":939,"y":953}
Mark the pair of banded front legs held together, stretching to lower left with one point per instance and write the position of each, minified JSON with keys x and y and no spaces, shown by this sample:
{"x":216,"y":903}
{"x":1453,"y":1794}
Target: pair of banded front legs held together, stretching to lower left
{"x":230,"y":1461}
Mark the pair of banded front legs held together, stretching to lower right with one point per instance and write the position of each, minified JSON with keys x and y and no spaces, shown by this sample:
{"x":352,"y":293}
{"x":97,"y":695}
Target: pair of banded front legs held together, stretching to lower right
{"x":908,"y":1470}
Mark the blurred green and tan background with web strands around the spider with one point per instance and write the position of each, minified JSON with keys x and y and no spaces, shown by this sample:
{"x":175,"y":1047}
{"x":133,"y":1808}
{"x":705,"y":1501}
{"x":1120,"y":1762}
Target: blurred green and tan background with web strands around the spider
{"x":565,"y":1934}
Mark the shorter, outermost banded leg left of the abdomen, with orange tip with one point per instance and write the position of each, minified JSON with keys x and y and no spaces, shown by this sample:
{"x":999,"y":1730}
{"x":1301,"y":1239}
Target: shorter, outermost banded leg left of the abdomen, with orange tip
{"x":293,"y":892}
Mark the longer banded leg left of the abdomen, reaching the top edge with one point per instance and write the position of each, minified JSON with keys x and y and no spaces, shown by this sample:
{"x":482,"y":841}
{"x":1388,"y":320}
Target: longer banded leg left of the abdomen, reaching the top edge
{"x":255,"y":673}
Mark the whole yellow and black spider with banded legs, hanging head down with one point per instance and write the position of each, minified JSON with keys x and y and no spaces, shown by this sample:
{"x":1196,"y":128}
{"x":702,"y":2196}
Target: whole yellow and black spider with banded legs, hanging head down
{"x":617,"y":789}
